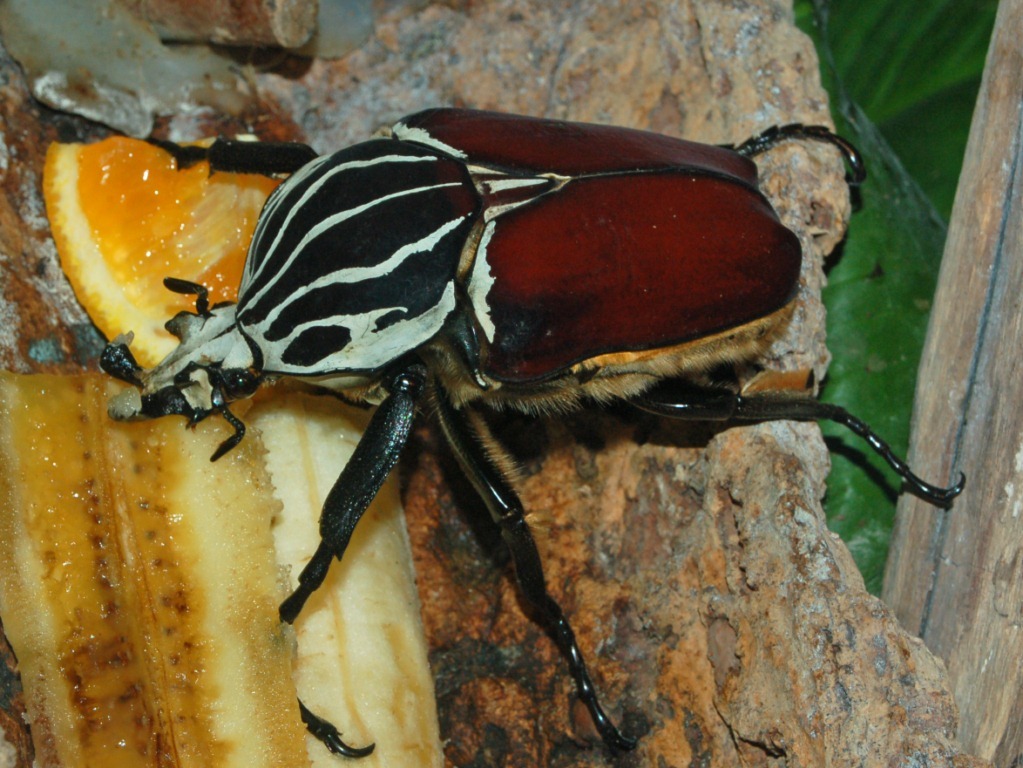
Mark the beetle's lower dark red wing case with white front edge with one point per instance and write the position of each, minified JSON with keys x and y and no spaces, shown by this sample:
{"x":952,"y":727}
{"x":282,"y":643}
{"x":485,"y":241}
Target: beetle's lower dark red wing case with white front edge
{"x":629,"y":262}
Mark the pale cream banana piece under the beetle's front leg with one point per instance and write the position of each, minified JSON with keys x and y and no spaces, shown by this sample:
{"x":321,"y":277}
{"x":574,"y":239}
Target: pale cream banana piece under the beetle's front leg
{"x":363,"y":655}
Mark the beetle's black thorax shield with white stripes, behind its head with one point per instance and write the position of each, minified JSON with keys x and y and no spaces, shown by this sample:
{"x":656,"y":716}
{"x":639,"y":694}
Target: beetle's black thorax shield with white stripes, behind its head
{"x":353,"y":262}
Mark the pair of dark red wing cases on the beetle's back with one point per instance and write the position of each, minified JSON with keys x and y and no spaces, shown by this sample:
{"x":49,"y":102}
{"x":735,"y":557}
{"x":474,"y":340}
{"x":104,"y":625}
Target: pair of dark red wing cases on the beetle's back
{"x":653,"y":242}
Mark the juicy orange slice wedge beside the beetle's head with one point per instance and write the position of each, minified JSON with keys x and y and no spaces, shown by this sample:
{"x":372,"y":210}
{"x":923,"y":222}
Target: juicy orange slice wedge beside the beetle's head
{"x":124,"y":218}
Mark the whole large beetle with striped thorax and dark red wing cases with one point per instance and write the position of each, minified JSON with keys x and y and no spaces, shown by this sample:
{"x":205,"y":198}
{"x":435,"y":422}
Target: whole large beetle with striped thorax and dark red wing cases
{"x":478,"y":258}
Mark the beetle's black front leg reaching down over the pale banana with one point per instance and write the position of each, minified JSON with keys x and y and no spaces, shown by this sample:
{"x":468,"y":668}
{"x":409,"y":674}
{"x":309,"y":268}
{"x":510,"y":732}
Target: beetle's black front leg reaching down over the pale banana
{"x":351,"y":495}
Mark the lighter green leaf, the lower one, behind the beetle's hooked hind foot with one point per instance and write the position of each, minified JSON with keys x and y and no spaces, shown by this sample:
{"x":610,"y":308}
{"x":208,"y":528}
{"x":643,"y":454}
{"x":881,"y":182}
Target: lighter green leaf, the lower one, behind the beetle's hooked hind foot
{"x":878,"y":299}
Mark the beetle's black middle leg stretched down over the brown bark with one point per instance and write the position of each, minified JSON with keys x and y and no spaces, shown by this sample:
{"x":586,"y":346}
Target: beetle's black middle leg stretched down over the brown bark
{"x":507,"y":511}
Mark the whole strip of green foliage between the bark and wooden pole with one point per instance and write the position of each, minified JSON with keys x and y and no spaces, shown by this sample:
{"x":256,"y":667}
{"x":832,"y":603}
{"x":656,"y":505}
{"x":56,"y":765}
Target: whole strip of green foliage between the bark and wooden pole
{"x":903,"y":76}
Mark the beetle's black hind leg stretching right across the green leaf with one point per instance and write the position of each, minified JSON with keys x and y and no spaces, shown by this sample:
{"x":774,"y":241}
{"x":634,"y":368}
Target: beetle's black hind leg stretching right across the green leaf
{"x":682,"y":400}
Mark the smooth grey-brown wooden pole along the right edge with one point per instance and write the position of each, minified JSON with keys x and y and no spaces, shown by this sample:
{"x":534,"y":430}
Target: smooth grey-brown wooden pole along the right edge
{"x":955,"y":578}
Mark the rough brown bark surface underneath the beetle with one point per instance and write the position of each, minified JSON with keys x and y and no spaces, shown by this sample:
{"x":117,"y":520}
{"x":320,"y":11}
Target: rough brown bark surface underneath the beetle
{"x":723,"y":621}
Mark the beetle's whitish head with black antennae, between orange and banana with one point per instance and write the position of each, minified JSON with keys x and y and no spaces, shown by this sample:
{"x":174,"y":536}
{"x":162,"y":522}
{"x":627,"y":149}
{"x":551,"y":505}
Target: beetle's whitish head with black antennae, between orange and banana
{"x":212,"y":367}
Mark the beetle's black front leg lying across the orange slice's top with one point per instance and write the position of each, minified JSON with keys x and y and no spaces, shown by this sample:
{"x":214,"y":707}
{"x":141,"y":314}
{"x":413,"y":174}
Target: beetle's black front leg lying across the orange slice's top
{"x":231,"y":156}
